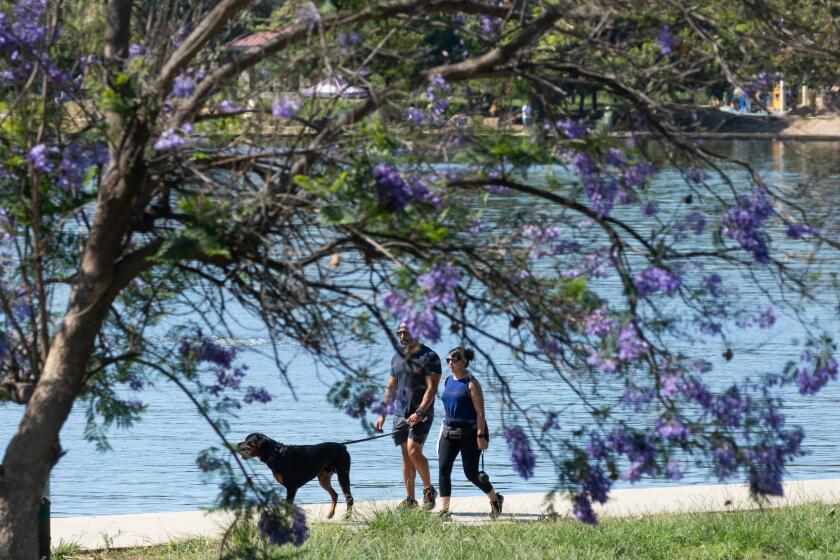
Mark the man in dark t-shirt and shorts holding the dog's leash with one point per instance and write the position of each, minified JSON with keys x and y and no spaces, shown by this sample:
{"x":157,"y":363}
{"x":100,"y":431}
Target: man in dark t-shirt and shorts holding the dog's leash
{"x":415,"y":374}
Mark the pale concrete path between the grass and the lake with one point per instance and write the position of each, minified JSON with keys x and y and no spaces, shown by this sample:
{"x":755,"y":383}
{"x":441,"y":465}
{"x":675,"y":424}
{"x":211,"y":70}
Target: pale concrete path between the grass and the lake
{"x":118,"y":531}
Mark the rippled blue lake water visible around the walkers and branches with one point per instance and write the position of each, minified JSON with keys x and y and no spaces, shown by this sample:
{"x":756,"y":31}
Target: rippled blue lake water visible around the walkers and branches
{"x":152,"y":466}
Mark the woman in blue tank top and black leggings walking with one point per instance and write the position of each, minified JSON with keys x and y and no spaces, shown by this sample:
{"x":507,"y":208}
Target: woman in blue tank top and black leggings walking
{"x":464,"y":430}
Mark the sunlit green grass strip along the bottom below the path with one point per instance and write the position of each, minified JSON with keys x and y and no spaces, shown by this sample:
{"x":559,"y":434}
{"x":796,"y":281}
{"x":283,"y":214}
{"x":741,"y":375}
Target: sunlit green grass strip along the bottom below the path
{"x":811,"y":531}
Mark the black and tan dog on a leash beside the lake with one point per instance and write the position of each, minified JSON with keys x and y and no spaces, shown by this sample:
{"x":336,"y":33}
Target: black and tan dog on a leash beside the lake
{"x":295,"y":465}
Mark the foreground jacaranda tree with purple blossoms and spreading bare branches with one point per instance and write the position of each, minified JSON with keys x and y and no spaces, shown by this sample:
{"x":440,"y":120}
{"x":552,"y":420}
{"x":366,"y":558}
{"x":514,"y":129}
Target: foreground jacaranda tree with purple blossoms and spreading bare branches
{"x":149,"y":164}
